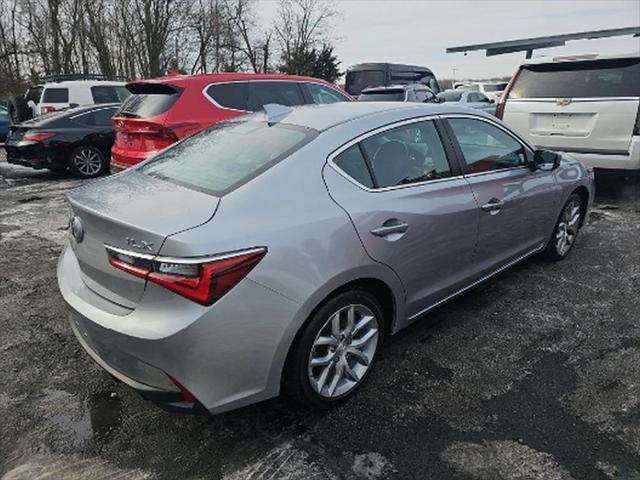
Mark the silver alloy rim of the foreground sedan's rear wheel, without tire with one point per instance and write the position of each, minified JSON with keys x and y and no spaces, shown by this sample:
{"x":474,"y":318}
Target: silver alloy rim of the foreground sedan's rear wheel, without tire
{"x":343,"y":351}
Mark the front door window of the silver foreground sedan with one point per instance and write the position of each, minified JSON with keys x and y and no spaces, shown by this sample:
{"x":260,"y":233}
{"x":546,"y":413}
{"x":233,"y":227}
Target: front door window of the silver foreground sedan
{"x":486,"y":147}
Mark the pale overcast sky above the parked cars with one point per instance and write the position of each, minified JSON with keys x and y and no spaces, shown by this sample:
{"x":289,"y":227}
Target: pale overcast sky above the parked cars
{"x":418,"y":31}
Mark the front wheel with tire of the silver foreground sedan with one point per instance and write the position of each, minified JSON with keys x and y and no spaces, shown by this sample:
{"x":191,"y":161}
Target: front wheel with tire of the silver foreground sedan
{"x":565,"y":232}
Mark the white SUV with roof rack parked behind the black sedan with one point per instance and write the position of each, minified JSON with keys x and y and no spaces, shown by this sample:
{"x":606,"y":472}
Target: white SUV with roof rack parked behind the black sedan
{"x":59,"y":92}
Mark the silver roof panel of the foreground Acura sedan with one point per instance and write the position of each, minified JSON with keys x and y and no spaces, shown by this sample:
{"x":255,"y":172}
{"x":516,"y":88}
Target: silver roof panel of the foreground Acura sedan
{"x":323,"y":117}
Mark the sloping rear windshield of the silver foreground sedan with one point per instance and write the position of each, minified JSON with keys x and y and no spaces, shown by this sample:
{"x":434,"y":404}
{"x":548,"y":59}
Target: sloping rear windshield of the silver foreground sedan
{"x":220,"y":159}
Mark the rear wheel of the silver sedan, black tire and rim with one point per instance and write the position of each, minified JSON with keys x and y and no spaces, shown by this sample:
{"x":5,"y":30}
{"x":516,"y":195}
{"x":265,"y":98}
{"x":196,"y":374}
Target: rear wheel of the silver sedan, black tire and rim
{"x":332,"y":358}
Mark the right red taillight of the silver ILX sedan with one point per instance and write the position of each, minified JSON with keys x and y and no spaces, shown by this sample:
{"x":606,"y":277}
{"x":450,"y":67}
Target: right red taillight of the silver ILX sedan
{"x":203,"y":280}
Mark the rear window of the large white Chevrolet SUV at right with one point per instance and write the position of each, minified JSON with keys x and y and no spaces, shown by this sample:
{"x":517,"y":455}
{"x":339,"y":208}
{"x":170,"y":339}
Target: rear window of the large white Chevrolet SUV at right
{"x":601,"y":78}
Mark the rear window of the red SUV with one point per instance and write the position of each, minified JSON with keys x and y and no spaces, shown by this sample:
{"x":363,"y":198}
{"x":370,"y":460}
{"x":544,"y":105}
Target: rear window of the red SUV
{"x":148,"y":100}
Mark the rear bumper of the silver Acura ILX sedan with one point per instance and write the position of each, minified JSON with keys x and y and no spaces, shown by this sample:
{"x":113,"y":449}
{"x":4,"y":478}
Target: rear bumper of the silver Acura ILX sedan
{"x":228,"y":355}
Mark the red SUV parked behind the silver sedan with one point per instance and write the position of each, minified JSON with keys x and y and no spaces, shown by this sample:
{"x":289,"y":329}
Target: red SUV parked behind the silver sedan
{"x":163,"y":110}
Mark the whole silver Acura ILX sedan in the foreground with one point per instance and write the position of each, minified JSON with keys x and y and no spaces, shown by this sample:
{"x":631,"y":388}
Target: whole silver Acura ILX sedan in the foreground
{"x":275,"y":252}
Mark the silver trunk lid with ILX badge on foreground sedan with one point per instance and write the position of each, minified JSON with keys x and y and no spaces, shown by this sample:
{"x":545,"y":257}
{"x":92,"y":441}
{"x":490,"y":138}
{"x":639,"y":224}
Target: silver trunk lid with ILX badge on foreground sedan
{"x":134,"y":212}
